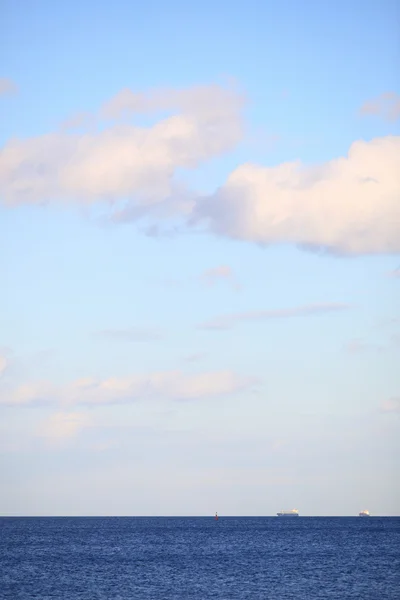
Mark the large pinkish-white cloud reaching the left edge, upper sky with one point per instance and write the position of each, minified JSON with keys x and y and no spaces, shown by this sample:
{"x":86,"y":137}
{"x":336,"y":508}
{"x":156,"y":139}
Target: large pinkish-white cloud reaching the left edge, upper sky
{"x":122,"y":160}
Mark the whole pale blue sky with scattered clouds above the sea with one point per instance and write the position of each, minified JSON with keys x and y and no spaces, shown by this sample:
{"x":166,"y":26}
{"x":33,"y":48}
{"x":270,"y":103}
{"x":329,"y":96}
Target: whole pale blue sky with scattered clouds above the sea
{"x":199,"y":258}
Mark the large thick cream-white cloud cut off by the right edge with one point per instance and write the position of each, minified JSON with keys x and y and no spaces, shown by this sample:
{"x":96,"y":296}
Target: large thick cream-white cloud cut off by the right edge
{"x":349,"y":205}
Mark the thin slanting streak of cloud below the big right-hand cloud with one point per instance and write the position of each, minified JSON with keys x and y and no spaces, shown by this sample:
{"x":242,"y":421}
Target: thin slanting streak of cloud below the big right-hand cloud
{"x":228,"y":321}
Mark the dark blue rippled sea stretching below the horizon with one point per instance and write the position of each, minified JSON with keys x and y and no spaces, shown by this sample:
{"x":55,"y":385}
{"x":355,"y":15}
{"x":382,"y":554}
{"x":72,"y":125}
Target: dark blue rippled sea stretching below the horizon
{"x":160,"y":558}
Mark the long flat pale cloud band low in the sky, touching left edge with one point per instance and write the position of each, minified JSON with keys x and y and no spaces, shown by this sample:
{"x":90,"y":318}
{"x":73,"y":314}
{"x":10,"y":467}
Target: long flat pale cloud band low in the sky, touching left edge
{"x":171,"y":385}
